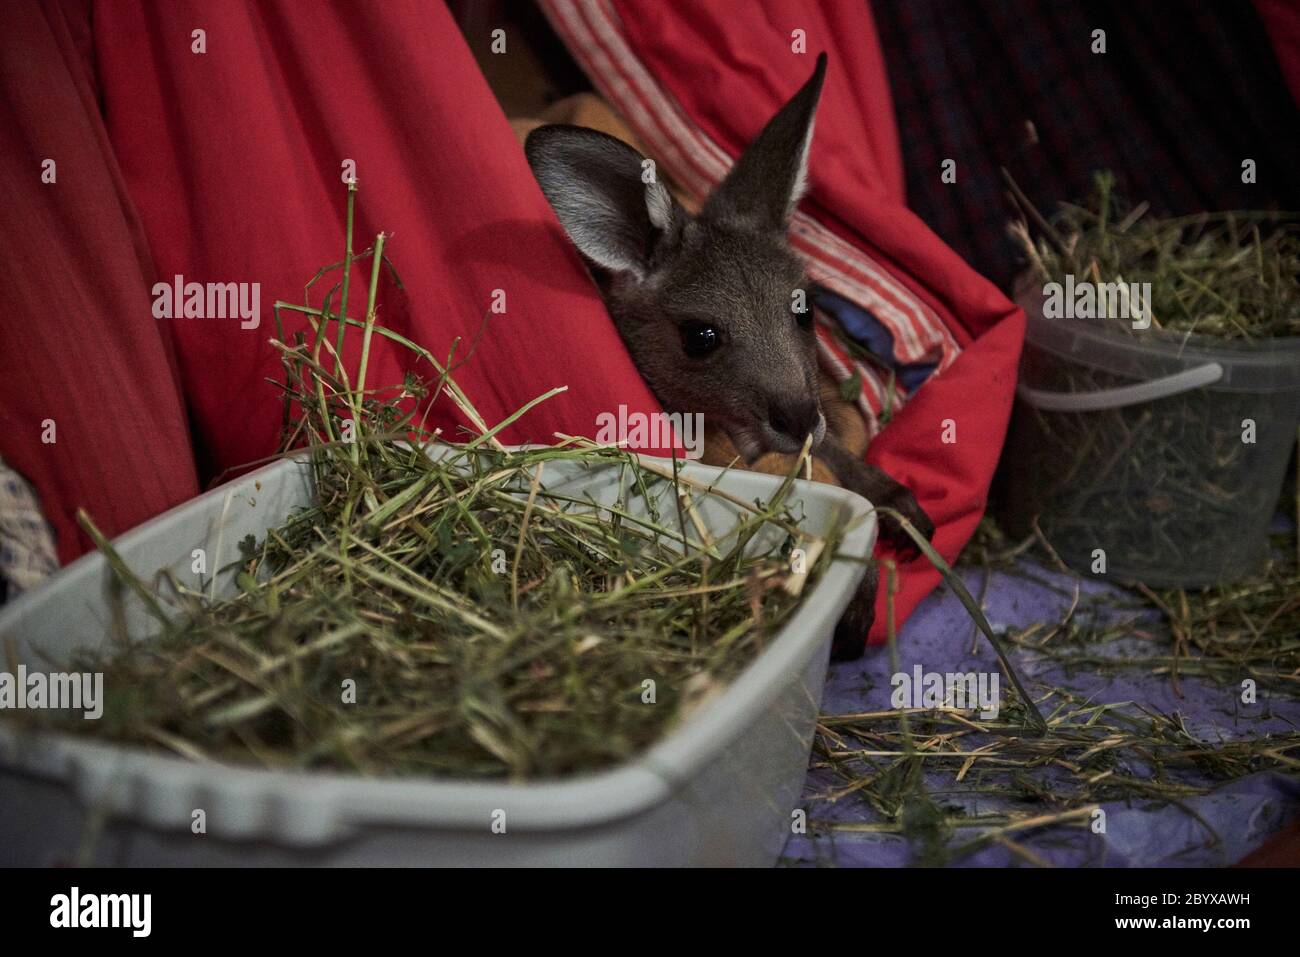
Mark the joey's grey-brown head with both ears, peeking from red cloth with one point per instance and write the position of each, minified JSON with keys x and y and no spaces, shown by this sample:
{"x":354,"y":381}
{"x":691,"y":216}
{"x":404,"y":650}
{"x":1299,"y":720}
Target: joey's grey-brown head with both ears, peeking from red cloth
{"x":716,"y":309}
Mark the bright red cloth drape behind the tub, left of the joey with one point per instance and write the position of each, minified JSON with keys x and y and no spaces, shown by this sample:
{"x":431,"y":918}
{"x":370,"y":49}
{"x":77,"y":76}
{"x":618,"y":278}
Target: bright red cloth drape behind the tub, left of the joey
{"x":233,"y":158}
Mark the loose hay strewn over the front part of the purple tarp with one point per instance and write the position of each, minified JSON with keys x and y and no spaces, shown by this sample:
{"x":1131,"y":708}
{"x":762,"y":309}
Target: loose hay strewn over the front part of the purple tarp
{"x":1093,"y":754}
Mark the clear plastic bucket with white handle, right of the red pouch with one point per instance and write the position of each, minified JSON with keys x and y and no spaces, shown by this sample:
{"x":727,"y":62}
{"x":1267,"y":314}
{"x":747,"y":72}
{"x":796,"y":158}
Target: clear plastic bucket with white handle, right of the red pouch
{"x":1155,"y":458}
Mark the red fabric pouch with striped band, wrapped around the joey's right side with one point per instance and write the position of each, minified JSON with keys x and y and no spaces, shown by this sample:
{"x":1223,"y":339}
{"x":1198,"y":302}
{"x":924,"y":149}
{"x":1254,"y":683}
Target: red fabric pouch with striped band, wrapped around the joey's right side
{"x":697,"y":83}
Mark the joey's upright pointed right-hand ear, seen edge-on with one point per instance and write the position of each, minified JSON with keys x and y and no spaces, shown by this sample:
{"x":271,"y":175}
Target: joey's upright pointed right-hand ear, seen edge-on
{"x":772,"y":176}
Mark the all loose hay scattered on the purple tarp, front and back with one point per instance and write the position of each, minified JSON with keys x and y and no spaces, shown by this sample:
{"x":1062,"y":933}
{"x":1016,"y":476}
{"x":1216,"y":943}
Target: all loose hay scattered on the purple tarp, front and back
{"x":918,"y":772}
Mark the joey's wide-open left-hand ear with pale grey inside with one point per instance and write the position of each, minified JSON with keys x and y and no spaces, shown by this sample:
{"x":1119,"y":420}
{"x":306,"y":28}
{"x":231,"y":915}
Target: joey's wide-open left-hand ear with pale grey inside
{"x":597,"y":187}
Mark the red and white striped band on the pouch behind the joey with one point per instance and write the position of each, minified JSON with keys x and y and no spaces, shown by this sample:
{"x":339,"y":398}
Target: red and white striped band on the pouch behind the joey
{"x":593,"y":32}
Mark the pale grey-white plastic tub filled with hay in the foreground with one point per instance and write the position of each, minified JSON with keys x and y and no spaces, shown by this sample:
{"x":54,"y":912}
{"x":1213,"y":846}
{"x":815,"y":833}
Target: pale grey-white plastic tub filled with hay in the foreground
{"x":720,"y":790}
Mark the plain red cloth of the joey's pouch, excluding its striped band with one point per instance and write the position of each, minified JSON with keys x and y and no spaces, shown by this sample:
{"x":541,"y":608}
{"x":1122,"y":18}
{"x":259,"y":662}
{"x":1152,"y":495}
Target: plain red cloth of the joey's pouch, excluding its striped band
{"x":730,"y":68}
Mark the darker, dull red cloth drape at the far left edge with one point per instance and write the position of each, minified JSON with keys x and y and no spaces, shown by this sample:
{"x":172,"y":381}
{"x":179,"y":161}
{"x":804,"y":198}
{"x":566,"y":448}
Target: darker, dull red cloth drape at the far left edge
{"x":81,"y":361}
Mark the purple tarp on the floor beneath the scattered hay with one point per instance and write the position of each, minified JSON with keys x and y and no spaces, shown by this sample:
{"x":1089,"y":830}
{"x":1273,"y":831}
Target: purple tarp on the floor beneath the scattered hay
{"x":1215,"y":829}
